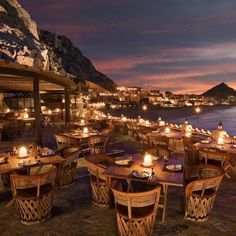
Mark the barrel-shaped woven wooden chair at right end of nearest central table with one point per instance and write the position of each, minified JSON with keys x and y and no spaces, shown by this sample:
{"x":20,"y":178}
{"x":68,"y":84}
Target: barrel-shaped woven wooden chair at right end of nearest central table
{"x":200,"y":192}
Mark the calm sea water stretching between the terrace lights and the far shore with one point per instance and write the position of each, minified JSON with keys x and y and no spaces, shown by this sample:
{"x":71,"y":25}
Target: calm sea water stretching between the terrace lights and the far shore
{"x":207,"y":119}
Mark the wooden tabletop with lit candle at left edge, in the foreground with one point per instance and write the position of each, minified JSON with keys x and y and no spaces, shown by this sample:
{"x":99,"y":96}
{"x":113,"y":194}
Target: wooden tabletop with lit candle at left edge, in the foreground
{"x":13,"y":162}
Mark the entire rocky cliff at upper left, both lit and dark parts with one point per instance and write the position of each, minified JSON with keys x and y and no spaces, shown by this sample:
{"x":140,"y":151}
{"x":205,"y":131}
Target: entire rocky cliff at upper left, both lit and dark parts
{"x":21,"y":42}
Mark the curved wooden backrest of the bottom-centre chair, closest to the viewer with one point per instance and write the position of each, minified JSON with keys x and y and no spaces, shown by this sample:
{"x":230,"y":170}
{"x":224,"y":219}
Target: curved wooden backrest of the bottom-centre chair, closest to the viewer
{"x":137,"y":199}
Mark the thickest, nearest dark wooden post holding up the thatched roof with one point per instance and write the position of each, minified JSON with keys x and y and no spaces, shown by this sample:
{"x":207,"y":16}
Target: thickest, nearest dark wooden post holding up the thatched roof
{"x":37,"y":109}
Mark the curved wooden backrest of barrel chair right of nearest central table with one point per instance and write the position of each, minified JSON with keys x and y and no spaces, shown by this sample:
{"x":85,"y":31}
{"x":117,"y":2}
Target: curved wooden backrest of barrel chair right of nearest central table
{"x":204,"y":177}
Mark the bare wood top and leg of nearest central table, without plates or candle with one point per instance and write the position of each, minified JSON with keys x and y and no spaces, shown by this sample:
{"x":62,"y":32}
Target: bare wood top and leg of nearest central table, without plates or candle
{"x":165,"y":178}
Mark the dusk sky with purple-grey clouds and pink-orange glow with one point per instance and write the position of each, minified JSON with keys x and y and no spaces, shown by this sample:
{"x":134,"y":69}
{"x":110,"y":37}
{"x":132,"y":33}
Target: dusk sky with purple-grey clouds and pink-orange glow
{"x":176,"y":45}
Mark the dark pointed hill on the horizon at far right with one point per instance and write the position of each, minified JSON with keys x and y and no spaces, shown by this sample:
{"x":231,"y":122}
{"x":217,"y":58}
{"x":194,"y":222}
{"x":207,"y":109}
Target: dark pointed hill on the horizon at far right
{"x":220,"y":91}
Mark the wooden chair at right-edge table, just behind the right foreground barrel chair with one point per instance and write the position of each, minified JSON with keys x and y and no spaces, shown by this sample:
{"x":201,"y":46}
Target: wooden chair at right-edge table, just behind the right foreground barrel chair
{"x":215,"y":156}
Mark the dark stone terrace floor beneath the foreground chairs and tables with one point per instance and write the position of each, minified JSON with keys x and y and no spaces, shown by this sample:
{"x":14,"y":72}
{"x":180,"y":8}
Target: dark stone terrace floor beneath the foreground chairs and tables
{"x":74,"y":214}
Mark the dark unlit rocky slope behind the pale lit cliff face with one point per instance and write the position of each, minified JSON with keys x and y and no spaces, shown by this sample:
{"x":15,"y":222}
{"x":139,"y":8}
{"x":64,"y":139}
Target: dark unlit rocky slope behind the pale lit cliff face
{"x":72,"y":60}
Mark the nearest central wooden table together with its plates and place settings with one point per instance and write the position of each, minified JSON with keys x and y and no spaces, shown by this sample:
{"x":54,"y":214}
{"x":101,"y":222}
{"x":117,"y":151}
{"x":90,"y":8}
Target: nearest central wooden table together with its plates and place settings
{"x":132,"y":168}
